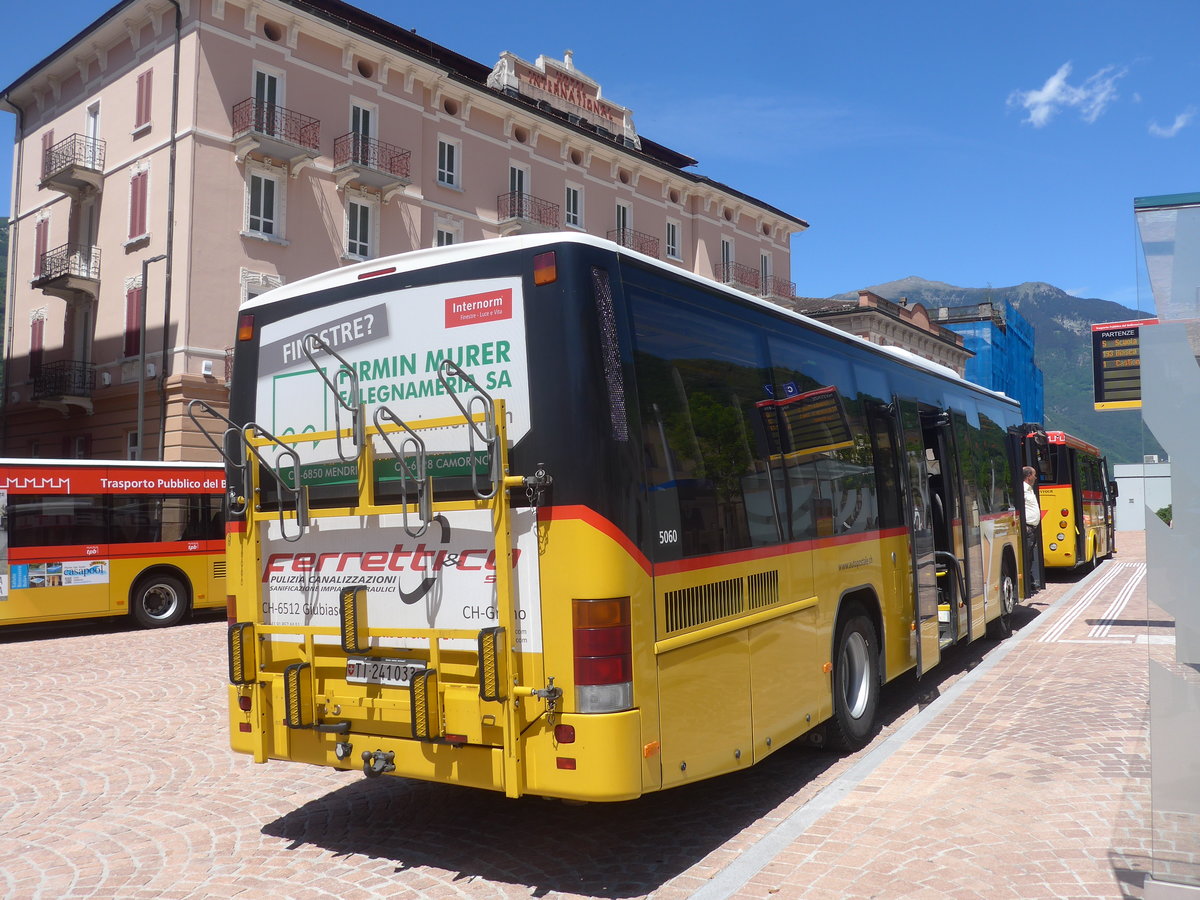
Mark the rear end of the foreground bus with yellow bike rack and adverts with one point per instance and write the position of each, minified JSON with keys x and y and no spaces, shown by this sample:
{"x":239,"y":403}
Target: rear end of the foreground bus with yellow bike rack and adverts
{"x":418,"y":608}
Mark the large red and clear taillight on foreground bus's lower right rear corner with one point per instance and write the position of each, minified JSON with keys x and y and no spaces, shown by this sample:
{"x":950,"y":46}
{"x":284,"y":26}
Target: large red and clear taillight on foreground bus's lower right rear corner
{"x":604,"y":659}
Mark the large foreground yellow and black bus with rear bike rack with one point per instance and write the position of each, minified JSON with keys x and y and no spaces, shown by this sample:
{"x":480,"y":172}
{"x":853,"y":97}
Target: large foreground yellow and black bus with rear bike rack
{"x":547,"y":517}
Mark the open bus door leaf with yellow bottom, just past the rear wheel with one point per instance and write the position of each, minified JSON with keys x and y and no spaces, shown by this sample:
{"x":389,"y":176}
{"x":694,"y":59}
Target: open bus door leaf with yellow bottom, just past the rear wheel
{"x":920,"y":523}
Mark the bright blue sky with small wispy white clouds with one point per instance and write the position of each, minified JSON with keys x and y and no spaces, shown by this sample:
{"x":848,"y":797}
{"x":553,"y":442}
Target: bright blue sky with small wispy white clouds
{"x":974,"y":143}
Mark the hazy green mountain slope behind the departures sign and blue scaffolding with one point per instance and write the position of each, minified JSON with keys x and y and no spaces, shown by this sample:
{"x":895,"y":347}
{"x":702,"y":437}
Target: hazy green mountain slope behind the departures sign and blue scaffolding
{"x":1063,"y":350}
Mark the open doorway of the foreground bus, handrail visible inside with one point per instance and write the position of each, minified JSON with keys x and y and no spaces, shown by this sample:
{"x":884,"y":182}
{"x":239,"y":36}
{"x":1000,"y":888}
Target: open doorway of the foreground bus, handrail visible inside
{"x":951,"y":526}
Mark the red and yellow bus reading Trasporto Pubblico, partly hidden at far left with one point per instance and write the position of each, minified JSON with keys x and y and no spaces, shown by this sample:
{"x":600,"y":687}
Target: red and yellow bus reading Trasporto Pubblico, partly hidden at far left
{"x":104,"y":538}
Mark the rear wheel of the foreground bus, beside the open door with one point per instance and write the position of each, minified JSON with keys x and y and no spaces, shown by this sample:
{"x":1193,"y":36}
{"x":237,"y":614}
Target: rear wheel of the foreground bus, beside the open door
{"x":856,"y":683}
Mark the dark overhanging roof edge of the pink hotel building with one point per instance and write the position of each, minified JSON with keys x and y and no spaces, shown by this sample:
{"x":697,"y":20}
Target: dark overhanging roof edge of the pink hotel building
{"x":459,"y":68}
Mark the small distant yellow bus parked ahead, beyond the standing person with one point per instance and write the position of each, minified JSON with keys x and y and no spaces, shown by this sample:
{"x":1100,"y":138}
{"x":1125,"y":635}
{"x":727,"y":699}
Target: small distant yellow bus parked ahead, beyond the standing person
{"x":1077,"y":500}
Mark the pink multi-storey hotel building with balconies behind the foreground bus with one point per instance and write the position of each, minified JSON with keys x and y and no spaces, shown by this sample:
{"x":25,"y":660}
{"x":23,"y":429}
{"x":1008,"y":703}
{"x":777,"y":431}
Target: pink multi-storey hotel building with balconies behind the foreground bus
{"x":175,"y":160}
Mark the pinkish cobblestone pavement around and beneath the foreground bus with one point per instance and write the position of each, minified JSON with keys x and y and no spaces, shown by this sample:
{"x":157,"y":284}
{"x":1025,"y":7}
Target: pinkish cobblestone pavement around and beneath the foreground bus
{"x":118,"y":783}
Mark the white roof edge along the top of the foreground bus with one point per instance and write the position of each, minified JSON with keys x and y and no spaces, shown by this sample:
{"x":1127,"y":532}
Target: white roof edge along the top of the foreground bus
{"x":425,"y":259}
